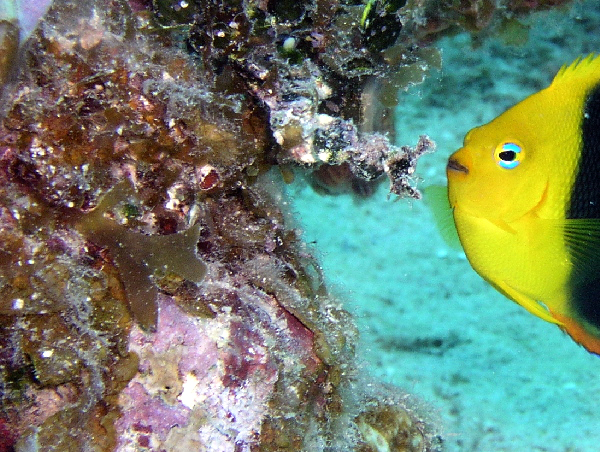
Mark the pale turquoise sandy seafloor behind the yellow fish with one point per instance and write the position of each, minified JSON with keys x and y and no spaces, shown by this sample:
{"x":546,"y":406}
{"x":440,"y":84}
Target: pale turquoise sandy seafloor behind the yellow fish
{"x":500,"y":378}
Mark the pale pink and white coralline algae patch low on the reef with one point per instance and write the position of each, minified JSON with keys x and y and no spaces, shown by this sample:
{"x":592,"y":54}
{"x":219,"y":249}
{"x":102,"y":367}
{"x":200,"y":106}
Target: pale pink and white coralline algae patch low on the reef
{"x":205,"y":380}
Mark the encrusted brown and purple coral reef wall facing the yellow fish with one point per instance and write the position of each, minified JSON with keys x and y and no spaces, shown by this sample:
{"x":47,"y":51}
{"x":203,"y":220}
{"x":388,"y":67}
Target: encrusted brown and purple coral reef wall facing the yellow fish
{"x":152,"y":291}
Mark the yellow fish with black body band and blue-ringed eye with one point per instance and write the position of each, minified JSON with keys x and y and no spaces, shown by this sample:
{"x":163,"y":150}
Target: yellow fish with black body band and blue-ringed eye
{"x":525,"y":196}
